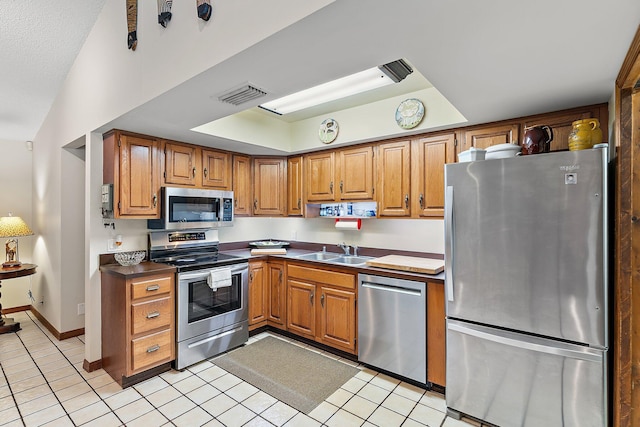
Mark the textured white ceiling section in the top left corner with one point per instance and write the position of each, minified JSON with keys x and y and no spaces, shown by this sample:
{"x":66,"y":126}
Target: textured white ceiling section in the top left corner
{"x":39,"y":40}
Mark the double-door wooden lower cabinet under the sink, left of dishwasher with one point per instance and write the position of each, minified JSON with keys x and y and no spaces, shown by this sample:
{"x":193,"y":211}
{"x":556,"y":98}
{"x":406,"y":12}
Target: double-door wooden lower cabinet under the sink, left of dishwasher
{"x":321,"y":305}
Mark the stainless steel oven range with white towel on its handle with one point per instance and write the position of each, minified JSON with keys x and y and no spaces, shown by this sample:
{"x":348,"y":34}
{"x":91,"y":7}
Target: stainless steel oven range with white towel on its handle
{"x":211,"y":293}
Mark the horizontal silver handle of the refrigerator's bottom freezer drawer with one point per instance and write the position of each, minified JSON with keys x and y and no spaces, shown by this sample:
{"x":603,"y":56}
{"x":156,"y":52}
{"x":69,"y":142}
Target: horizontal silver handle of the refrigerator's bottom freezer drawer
{"x":561,"y":349}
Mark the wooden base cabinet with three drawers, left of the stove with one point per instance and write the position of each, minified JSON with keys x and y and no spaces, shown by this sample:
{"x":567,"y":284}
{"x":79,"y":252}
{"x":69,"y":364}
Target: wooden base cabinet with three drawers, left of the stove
{"x":138,"y":332}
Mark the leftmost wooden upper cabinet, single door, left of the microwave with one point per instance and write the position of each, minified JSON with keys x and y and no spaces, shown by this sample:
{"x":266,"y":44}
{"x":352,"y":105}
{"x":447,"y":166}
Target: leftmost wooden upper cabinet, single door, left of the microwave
{"x":132,"y":163}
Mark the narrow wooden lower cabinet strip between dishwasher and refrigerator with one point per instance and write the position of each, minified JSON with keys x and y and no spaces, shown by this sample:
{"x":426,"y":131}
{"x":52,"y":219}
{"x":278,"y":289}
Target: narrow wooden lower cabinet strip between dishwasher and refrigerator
{"x":436,"y":334}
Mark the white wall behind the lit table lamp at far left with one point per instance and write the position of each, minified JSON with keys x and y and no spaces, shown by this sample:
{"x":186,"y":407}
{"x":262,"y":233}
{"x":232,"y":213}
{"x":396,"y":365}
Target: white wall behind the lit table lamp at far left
{"x":15,"y":196}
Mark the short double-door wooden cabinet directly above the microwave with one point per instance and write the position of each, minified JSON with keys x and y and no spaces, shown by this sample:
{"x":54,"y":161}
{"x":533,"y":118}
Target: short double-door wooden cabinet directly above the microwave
{"x":194,"y":166}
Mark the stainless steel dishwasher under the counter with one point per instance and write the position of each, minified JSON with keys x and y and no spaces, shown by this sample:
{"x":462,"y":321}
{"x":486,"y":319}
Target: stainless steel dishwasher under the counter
{"x":392,"y":325}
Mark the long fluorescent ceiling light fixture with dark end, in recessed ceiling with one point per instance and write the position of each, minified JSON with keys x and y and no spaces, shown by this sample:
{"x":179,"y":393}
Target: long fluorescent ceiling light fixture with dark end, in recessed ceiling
{"x":363,"y":81}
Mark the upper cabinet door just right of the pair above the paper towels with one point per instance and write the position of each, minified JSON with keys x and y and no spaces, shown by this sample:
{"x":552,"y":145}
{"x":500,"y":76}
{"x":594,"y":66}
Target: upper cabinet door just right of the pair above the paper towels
{"x":394,"y":173}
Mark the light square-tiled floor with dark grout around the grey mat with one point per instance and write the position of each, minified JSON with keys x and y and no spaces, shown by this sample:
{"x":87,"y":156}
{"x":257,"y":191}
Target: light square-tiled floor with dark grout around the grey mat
{"x":42,"y":382}
